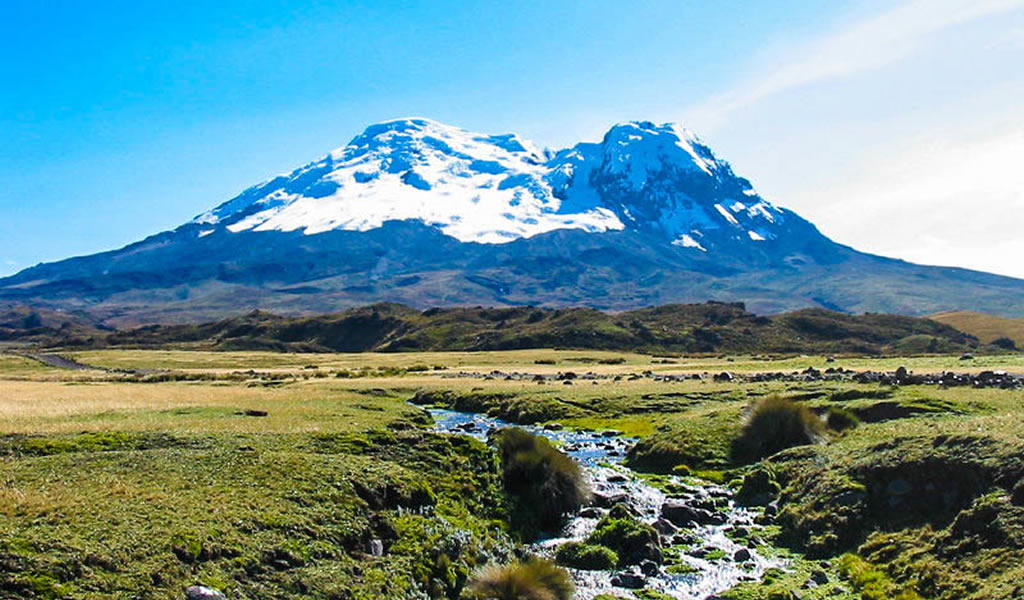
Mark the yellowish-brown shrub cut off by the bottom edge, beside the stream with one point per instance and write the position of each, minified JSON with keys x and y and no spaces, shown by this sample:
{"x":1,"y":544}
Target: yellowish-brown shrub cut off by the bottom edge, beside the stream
{"x":535,"y":579}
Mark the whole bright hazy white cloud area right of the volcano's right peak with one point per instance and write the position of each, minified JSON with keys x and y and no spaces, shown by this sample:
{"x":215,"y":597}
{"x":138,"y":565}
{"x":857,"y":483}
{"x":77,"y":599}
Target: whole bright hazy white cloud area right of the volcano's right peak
{"x":901,"y":136}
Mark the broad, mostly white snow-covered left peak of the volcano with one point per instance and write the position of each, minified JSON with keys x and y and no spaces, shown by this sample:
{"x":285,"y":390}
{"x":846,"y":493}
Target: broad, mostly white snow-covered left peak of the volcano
{"x":475,"y":188}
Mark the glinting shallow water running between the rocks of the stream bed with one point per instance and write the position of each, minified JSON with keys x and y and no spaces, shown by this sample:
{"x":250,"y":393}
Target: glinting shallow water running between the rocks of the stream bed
{"x":603,"y":459}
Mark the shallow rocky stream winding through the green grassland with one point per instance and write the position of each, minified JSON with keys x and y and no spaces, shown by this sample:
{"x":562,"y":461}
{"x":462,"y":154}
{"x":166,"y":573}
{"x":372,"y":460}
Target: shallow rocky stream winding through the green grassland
{"x":716,"y":563}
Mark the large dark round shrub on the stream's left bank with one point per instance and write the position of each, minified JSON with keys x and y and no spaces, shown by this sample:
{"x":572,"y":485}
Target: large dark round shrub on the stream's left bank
{"x":546,"y":484}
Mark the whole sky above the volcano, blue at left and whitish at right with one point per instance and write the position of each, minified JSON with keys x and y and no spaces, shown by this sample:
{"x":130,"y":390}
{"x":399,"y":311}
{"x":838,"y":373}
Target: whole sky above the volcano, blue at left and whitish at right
{"x":898,"y":127}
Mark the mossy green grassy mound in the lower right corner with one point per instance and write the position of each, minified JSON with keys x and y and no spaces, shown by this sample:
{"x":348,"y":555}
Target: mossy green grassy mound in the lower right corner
{"x":931,"y":508}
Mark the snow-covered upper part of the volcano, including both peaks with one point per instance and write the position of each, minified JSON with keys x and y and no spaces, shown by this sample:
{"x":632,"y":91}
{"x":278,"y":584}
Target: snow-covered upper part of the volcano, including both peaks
{"x":496,"y":189}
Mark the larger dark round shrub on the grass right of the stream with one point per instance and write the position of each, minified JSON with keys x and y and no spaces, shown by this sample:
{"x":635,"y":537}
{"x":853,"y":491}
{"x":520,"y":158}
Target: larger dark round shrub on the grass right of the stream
{"x":776,"y":424}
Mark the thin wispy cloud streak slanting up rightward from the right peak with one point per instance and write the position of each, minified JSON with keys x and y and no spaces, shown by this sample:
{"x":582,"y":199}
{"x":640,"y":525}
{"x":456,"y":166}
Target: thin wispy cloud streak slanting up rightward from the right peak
{"x":864,"y":47}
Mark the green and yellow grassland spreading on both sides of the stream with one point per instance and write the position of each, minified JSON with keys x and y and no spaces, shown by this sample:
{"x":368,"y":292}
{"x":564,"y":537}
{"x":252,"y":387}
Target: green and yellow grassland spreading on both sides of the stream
{"x":269,"y":476}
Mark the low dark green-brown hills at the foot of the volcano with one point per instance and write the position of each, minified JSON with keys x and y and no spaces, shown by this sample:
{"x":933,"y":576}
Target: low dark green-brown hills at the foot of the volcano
{"x":712,"y":327}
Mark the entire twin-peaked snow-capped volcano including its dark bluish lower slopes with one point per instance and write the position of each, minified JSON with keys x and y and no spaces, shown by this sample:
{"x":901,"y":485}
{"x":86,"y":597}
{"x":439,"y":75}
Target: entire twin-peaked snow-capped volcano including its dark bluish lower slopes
{"x":426,"y":215}
